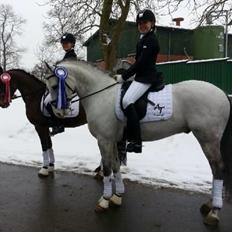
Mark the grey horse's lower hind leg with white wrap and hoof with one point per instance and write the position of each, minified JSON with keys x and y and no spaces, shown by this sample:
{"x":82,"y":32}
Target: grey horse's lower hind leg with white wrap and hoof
{"x":212,"y":208}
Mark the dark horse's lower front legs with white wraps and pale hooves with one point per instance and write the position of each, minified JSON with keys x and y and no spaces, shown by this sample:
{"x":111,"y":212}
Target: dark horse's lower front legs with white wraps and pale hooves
{"x":48,"y":155}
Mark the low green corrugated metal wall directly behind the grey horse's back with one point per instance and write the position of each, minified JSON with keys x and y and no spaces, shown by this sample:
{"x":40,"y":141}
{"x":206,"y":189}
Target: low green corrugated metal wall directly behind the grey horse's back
{"x":217,"y":72}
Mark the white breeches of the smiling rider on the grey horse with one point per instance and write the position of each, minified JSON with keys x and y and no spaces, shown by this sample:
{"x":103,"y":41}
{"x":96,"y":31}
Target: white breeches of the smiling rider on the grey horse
{"x":134,"y":92}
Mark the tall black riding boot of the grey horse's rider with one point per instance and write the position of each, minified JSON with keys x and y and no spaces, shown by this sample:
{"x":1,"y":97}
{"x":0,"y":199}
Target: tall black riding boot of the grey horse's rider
{"x":133,"y":130}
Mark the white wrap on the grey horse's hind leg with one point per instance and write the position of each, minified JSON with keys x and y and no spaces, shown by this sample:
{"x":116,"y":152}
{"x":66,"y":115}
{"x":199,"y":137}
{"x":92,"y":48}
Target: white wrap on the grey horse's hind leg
{"x":217,"y":193}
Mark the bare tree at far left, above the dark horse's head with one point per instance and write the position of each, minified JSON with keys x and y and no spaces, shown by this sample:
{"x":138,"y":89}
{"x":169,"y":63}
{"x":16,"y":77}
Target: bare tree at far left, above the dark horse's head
{"x":10,"y":27}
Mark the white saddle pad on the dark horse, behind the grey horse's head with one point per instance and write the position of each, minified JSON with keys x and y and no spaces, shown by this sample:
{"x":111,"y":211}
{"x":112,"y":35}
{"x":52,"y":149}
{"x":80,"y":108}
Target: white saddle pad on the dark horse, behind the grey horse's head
{"x":71,"y":112}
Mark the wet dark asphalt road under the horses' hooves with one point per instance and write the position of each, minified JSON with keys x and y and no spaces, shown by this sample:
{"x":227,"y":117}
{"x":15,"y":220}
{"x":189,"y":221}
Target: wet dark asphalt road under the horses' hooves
{"x":66,"y":202}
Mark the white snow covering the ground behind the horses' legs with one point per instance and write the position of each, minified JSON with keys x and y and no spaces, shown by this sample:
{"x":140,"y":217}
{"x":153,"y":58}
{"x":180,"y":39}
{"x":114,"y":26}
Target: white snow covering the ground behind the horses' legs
{"x":176,"y":161}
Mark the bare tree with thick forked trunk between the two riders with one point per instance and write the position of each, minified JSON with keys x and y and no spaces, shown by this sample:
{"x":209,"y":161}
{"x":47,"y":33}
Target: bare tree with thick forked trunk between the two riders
{"x":82,"y":17}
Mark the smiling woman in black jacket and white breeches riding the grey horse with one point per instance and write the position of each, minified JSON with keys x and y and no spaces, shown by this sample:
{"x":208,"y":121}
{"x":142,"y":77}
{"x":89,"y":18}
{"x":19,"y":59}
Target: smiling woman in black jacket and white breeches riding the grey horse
{"x":145,"y":72}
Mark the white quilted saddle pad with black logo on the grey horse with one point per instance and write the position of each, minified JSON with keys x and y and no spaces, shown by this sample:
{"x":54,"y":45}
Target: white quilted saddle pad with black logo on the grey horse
{"x":160,"y":109}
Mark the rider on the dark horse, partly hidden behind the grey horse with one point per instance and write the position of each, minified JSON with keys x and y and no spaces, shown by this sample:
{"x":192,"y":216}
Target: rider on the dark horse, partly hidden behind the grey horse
{"x":68,"y":43}
